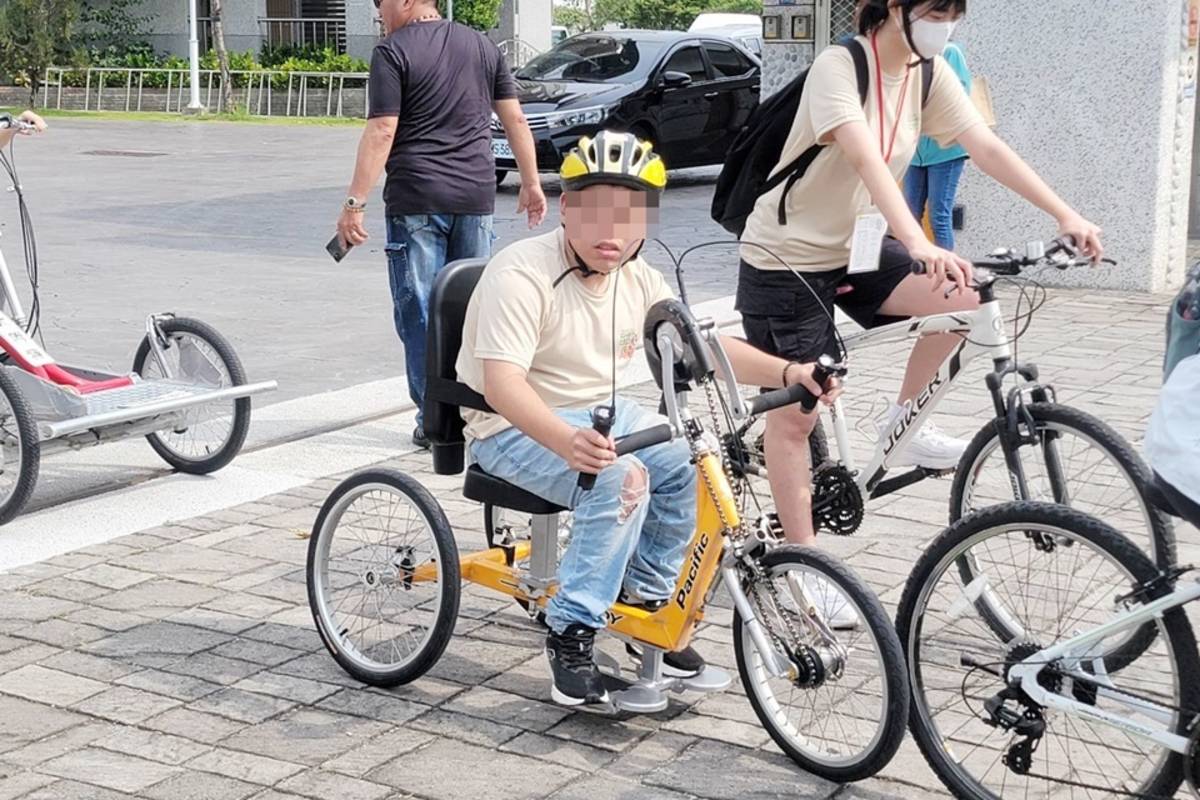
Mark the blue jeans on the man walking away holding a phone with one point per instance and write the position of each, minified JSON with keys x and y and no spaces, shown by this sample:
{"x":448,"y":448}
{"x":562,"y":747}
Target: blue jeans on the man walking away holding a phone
{"x":419,"y":245}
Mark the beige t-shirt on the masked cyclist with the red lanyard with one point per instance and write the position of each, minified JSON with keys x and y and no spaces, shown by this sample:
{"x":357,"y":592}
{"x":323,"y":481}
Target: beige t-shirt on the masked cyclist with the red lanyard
{"x":824,"y":206}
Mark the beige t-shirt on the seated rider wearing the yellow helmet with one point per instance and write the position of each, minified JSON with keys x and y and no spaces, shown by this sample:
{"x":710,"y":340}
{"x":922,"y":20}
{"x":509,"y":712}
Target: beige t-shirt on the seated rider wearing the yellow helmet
{"x":563,"y":338}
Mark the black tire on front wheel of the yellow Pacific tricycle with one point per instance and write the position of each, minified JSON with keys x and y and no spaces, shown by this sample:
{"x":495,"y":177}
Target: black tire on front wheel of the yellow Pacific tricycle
{"x":895,"y":685}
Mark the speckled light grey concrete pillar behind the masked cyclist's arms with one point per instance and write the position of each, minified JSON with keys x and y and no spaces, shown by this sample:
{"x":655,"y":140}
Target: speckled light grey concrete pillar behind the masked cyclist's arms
{"x":1100,"y":101}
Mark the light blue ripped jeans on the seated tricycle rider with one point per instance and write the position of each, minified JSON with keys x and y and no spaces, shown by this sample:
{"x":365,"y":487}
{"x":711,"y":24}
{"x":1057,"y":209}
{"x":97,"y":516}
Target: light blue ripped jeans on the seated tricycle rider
{"x":619,"y":537}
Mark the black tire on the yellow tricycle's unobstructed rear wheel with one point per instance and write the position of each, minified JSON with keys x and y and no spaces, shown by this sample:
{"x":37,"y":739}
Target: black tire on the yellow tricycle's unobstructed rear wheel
{"x":445,"y":557}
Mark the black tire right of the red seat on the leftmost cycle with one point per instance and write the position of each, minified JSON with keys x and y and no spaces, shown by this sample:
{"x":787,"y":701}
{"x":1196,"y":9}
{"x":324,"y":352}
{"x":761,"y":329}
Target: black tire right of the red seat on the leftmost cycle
{"x":221,"y":455}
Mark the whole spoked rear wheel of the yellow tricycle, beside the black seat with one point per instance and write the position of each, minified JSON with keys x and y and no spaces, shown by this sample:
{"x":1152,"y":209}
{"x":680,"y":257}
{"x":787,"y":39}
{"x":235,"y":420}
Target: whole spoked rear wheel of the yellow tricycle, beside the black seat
{"x":383,"y":578}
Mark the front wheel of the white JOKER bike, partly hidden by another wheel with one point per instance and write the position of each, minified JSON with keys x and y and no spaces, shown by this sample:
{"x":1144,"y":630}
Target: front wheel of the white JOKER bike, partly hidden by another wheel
{"x":1077,"y":461}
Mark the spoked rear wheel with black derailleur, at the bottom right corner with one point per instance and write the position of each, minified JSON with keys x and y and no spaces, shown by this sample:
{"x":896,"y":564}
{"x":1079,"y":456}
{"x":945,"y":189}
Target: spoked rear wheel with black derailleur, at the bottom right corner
{"x":1058,"y":573}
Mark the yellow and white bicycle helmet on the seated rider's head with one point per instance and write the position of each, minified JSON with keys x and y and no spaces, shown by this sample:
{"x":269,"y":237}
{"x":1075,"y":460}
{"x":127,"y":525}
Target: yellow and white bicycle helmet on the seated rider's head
{"x":614,"y":159}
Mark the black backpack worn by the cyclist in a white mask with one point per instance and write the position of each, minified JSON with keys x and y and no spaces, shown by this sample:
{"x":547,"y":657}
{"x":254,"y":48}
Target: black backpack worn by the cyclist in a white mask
{"x":751,"y":166}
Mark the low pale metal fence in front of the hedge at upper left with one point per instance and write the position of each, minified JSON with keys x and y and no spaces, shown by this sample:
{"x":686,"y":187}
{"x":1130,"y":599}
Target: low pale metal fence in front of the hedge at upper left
{"x":263,"y":93}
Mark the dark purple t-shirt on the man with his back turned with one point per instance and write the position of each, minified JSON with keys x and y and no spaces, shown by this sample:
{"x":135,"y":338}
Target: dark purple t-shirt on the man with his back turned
{"x":441,"y":80}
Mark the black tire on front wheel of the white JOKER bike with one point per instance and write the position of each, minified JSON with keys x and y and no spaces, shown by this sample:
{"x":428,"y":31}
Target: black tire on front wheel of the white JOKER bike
{"x":1159,"y":539}
